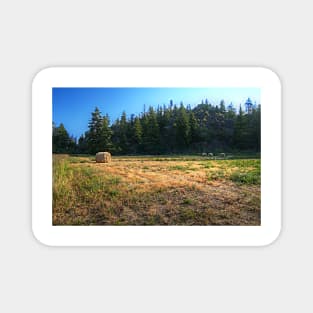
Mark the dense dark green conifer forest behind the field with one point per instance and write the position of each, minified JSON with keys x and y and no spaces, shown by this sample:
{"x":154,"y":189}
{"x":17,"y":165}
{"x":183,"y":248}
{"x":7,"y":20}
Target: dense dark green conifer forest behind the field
{"x":168,"y":129}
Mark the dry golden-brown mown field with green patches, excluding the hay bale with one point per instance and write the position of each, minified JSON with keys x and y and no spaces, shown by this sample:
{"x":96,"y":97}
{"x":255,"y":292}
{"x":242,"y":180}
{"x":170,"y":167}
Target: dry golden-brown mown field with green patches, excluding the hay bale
{"x":188,"y":190}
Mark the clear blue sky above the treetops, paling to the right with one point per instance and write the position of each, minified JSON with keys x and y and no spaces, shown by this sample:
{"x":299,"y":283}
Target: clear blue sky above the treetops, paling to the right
{"x":73,"y":106}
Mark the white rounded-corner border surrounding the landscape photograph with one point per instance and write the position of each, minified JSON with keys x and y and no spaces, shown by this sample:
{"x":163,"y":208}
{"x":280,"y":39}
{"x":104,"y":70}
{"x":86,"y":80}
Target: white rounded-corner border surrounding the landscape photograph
{"x":258,"y":77}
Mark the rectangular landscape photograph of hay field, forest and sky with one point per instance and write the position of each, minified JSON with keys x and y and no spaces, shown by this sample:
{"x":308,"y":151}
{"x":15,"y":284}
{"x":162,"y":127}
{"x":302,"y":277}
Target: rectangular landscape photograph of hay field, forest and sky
{"x":156,"y":156}
